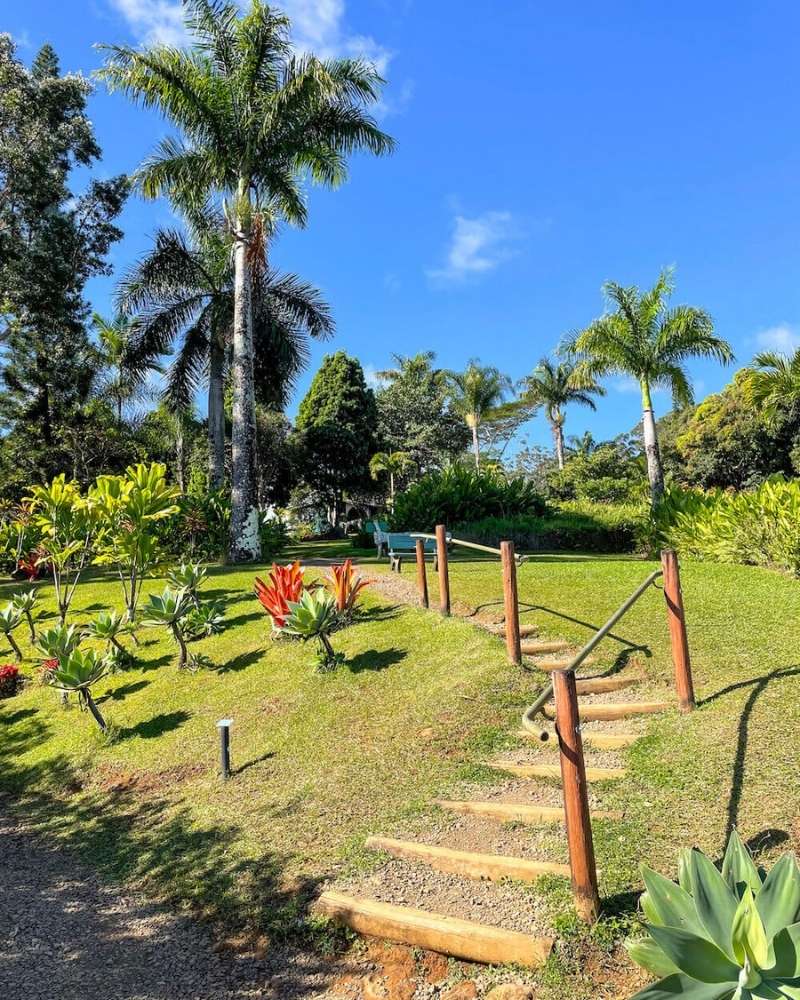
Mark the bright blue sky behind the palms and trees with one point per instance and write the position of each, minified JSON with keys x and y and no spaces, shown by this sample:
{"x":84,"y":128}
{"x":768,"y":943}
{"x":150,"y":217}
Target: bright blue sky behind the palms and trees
{"x":543,"y":148}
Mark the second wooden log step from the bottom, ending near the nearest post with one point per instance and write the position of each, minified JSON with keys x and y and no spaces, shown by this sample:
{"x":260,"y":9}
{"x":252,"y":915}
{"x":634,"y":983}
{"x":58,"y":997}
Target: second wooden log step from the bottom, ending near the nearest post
{"x":491,"y":866}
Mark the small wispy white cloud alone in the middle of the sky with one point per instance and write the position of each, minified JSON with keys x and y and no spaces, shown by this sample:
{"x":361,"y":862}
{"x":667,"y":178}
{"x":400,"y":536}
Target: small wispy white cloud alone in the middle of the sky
{"x":477,"y":245}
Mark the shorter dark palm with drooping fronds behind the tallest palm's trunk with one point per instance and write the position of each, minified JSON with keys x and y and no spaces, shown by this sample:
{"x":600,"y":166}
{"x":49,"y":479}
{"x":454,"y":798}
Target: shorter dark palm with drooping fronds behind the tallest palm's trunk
{"x":183,"y":290}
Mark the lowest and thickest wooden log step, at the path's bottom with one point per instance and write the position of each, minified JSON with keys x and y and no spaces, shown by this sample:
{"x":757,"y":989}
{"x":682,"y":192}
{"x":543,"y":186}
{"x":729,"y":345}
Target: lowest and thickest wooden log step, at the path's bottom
{"x":460,"y":938}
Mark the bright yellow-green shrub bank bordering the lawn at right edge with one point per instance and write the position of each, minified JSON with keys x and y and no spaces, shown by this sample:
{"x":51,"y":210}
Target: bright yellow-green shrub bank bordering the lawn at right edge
{"x":759,"y":527}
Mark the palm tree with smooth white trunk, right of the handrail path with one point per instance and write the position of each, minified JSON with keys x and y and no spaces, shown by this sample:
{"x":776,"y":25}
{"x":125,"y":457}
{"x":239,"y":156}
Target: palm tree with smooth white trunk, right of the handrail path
{"x":646,"y":339}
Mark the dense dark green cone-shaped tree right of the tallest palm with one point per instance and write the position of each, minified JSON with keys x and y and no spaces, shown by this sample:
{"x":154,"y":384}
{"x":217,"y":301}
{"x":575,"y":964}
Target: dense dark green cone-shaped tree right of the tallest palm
{"x":335,"y":431}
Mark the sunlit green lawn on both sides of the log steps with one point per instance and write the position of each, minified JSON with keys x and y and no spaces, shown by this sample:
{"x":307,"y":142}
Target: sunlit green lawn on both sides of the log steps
{"x":323,"y":760}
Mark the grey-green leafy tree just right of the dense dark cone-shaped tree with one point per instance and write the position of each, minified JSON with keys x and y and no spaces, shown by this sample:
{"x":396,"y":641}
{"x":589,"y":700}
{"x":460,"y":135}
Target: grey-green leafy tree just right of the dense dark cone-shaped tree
{"x":415,"y":414}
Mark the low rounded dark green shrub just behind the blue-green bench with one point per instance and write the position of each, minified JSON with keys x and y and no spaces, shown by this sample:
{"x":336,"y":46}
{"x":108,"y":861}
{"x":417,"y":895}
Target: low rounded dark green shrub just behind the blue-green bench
{"x":459,"y":495}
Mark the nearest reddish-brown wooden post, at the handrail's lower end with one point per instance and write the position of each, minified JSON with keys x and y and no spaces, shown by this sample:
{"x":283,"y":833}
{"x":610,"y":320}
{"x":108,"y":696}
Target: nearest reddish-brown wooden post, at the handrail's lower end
{"x":576,"y":797}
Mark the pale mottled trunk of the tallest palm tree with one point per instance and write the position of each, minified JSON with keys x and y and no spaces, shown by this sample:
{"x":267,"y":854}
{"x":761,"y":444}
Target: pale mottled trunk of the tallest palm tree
{"x":245,"y":542}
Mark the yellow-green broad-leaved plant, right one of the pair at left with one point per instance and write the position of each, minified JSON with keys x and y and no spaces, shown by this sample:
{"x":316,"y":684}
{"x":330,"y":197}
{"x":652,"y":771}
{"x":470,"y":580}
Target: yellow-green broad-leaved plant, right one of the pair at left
{"x":131,"y":507}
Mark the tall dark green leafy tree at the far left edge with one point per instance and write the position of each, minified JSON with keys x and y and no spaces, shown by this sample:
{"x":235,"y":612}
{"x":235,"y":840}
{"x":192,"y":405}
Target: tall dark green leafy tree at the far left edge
{"x":52,"y":241}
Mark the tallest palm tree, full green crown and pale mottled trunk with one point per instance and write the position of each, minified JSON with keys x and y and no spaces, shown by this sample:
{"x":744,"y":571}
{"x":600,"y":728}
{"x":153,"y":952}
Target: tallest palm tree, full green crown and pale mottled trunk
{"x":254,"y":119}
